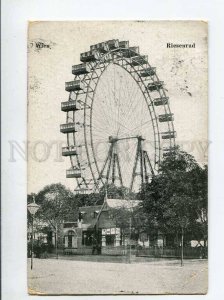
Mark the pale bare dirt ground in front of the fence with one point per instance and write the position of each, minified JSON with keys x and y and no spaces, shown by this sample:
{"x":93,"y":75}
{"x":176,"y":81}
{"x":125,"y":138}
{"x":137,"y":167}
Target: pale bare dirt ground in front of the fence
{"x":73,"y":276}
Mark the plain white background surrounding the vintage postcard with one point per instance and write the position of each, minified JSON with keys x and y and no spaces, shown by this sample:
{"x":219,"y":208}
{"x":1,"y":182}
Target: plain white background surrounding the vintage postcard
{"x":15,"y":15}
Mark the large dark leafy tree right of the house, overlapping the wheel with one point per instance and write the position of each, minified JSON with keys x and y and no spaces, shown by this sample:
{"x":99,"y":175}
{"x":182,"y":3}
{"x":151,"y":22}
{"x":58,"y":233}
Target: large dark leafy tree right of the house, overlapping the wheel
{"x":177,"y":197}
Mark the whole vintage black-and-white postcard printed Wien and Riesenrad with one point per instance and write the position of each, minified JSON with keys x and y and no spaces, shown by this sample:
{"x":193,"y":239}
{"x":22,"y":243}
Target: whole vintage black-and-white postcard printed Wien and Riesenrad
{"x":117,"y":158}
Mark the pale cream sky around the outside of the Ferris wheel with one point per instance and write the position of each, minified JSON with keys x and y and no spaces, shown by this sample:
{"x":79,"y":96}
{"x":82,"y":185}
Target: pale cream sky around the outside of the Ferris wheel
{"x":184,"y":72}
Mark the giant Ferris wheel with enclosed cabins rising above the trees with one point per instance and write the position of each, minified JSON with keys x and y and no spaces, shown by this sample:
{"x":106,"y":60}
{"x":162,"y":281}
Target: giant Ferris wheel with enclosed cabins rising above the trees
{"x":118,"y":121}
